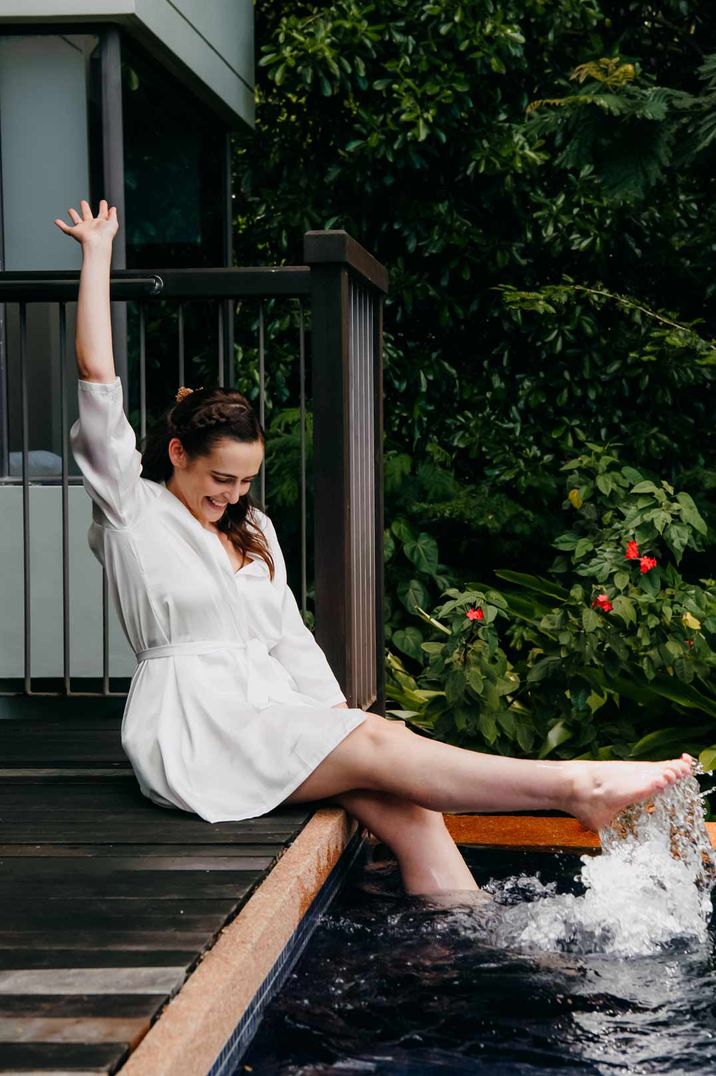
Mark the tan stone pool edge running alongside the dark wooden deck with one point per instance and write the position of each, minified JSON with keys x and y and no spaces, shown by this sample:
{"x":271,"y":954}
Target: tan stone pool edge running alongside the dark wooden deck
{"x":200,"y":1030}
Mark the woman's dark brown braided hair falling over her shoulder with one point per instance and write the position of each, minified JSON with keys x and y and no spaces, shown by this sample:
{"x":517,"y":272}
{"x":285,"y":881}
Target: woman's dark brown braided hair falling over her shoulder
{"x":201,"y":420}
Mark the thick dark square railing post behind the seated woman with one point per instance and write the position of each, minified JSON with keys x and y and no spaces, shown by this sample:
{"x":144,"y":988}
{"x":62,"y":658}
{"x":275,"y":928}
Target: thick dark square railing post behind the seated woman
{"x":347,"y":292}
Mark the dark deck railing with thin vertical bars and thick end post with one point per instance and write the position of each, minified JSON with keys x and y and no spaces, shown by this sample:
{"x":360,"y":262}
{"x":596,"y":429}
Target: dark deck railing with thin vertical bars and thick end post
{"x":341,"y":289}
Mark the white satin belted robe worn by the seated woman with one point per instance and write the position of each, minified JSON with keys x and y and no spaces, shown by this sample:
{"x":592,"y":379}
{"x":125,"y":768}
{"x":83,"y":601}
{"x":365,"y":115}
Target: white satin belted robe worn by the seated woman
{"x":231,"y":706}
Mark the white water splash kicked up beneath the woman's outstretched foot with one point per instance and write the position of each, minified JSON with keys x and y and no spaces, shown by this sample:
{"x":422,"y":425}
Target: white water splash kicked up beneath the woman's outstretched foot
{"x":650,"y":889}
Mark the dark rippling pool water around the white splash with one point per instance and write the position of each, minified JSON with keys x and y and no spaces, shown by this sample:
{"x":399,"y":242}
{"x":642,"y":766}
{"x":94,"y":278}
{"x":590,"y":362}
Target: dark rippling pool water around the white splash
{"x":392,"y":984}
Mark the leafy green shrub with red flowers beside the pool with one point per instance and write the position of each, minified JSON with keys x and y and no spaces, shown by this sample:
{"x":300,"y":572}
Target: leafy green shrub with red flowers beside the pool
{"x":609,"y":656}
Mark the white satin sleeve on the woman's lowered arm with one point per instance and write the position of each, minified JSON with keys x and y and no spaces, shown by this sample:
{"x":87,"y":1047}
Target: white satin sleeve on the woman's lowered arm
{"x":298,"y":649}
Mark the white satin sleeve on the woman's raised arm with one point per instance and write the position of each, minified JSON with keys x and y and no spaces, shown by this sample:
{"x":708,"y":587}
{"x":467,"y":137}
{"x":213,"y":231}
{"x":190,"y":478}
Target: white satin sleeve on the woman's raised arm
{"x":105,"y":448}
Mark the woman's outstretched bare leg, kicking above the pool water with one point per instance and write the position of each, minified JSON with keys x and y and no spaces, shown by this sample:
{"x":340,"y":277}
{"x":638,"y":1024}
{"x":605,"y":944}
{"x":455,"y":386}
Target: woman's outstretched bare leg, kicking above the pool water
{"x":383,"y":757}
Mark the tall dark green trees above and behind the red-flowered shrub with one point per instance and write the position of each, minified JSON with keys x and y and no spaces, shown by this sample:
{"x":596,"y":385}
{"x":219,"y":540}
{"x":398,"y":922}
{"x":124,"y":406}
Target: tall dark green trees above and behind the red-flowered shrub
{"x":406,"y":125}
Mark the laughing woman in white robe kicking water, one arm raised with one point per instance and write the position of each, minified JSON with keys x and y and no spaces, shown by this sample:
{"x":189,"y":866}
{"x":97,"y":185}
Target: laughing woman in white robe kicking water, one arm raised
{"x":233,"y":710}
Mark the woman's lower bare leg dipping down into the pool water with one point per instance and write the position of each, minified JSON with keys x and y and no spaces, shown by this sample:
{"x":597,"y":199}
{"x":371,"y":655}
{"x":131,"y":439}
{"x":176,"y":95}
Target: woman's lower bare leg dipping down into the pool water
{"x":429,"y":859}
